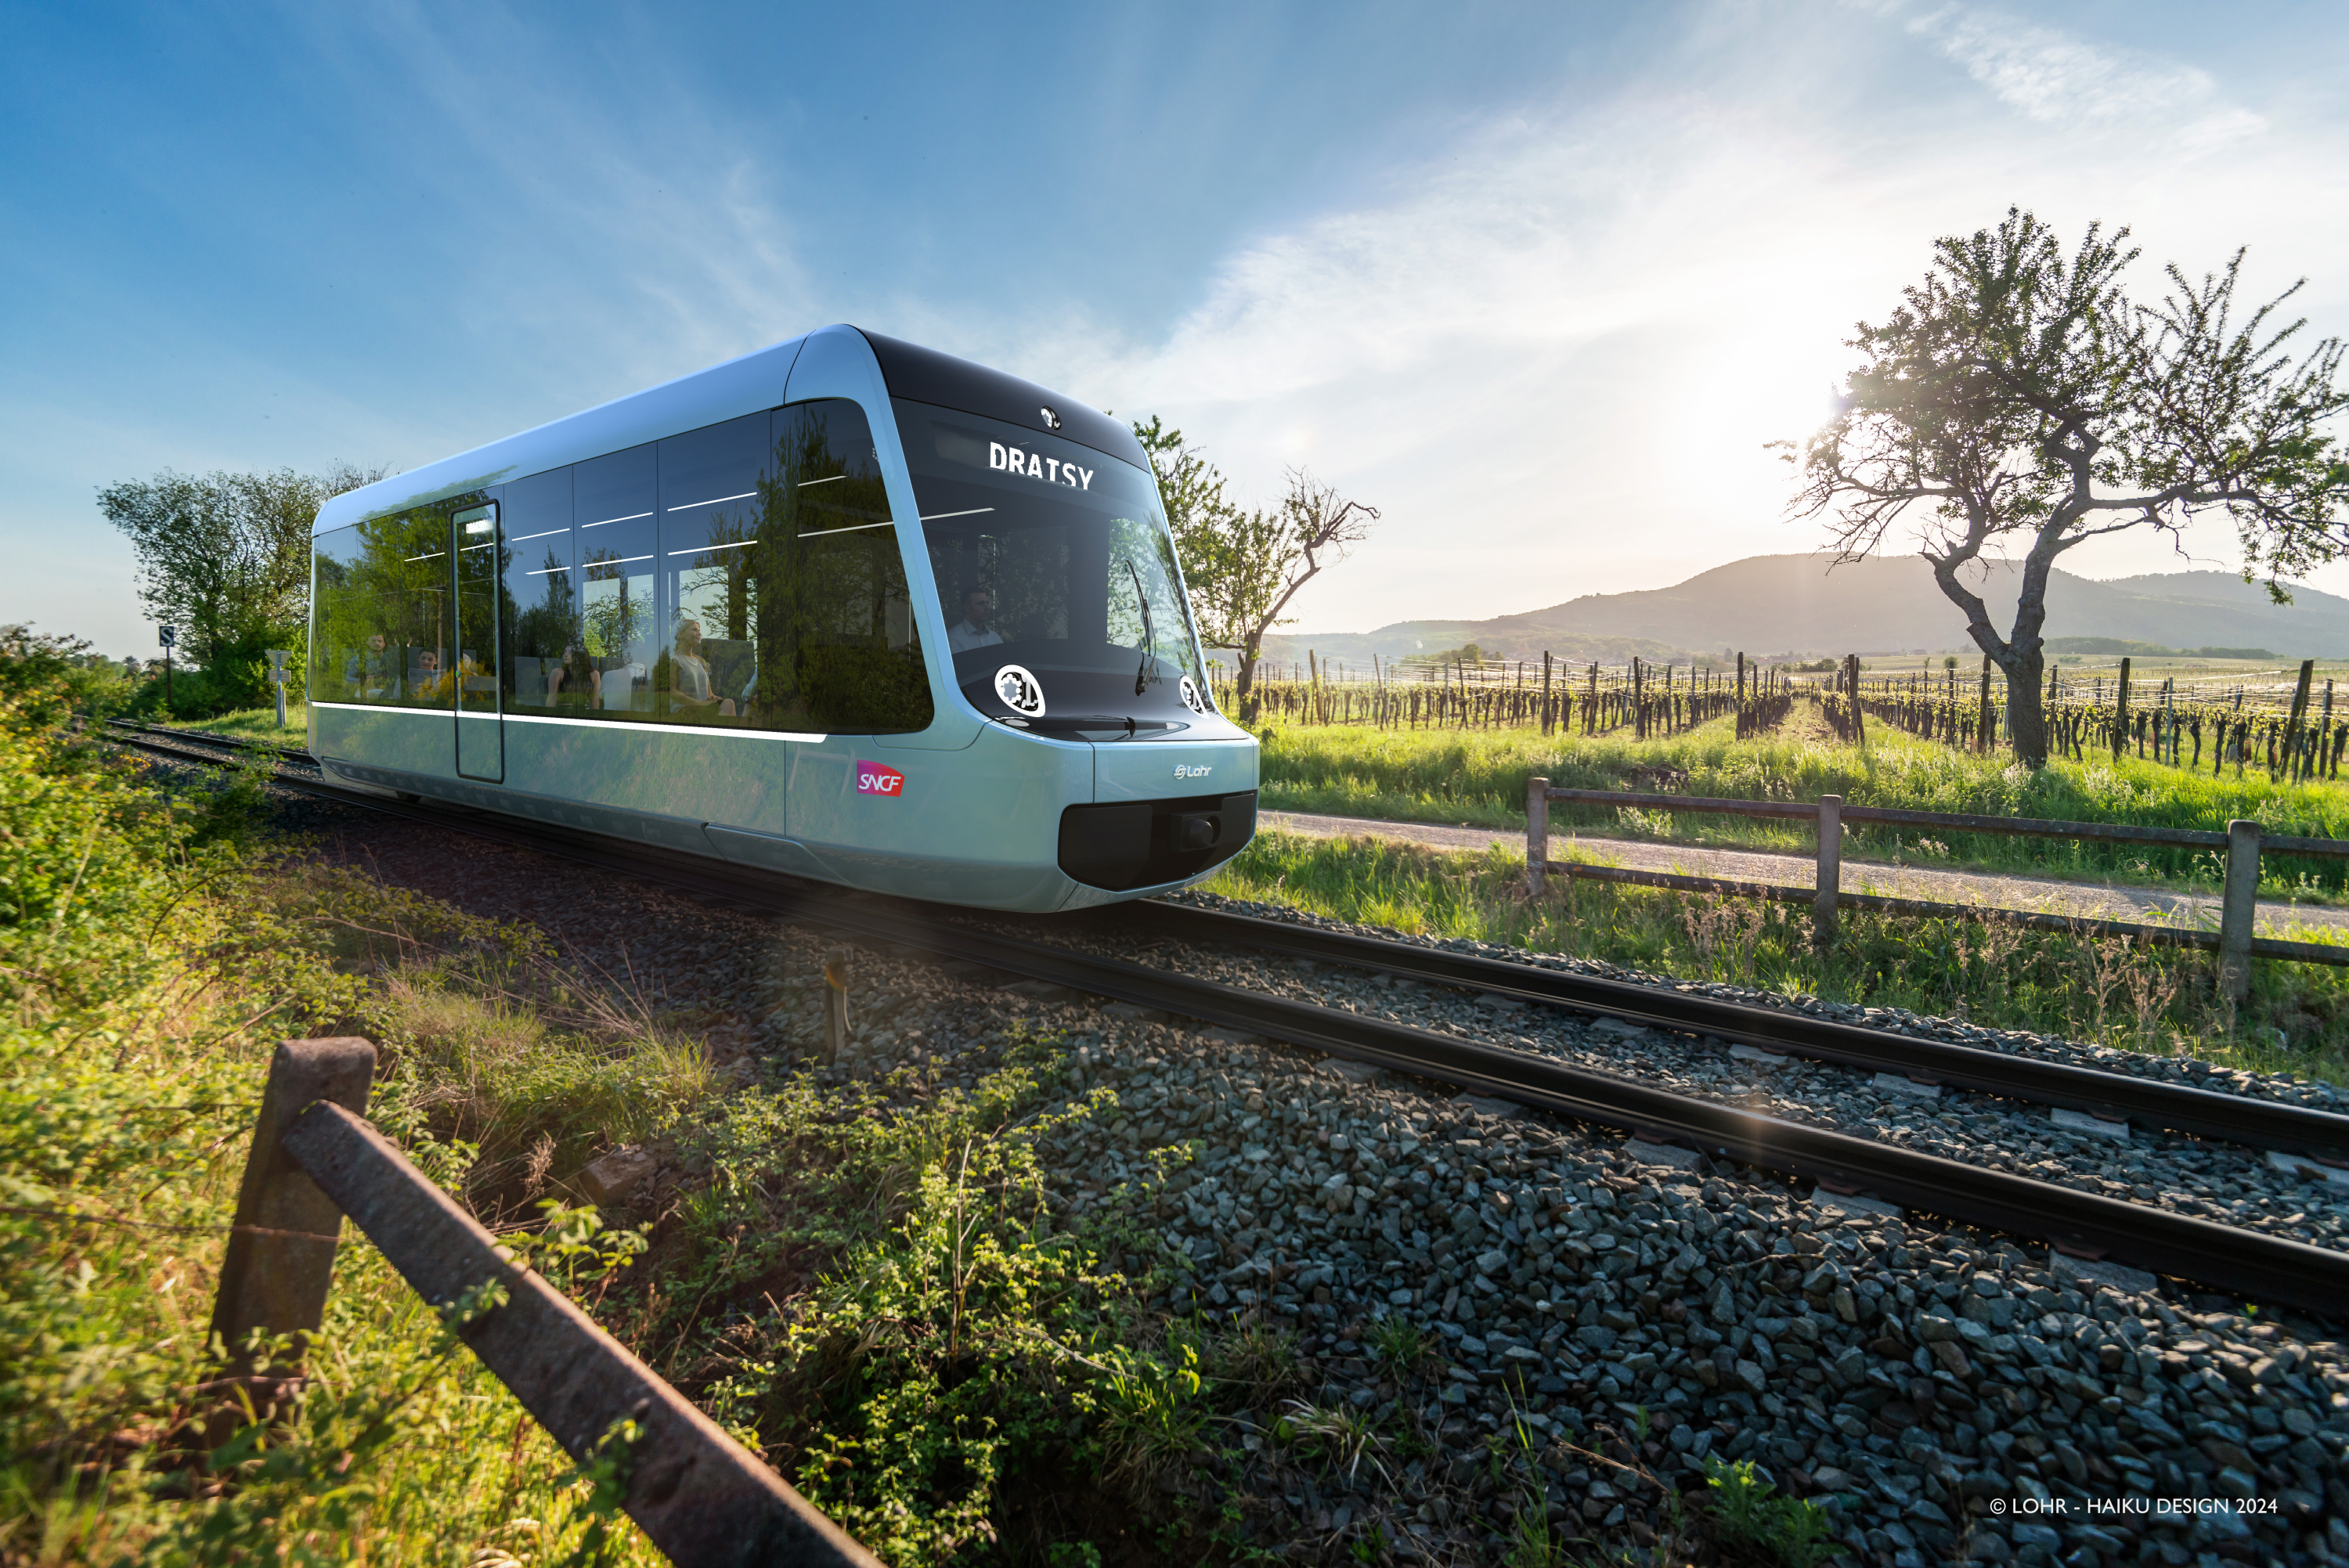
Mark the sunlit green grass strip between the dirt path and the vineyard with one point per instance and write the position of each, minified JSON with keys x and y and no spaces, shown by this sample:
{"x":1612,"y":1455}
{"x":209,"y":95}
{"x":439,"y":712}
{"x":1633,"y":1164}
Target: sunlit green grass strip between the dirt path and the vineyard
{"x":1476,"y":778}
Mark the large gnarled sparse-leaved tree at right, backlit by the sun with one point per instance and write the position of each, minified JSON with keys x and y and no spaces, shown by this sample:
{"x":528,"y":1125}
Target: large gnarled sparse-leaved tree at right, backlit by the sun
{"x":2021,"y":393}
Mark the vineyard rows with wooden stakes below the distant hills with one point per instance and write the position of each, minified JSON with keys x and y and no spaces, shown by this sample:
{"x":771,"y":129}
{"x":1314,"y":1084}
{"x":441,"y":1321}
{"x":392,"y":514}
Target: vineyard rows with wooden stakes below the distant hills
{"x":2277,"y":724}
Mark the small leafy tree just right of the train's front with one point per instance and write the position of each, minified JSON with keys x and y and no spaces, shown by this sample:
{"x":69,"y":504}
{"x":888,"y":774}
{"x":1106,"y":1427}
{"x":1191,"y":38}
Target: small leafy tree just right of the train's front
{"x":1244,"y":567}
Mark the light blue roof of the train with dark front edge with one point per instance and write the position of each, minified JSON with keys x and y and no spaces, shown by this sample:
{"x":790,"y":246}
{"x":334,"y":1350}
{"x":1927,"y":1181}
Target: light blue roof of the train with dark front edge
{"x":729,"y":391}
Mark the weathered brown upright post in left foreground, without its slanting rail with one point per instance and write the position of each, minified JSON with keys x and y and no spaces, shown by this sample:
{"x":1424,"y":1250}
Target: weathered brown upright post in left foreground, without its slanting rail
{"x":281,"y":1255}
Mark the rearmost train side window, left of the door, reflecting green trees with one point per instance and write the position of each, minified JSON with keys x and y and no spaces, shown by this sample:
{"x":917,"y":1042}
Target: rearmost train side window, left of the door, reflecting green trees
{"x":382,"y":614}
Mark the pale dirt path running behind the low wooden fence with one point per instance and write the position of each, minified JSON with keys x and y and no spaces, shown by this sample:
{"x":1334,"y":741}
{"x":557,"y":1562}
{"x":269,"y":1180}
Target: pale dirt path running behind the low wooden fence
{"x":2040,"y":895}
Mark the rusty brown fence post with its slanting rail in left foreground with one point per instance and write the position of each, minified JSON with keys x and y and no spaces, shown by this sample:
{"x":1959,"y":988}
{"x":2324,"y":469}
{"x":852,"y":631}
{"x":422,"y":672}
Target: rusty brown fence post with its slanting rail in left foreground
{"x":694,"y":1492}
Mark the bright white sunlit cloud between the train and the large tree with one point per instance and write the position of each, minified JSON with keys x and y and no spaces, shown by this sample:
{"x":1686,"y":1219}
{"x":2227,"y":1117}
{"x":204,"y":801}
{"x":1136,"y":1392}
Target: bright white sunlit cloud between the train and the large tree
{"x":1556,"y":351}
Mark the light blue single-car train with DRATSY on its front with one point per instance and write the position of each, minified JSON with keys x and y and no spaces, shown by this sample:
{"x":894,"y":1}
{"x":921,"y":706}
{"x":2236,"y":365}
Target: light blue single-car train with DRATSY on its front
{"x":844,"y":609}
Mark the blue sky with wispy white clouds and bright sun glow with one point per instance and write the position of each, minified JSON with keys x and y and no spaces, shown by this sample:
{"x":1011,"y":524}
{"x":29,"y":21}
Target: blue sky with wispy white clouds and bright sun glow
{"x":1535,"y":281}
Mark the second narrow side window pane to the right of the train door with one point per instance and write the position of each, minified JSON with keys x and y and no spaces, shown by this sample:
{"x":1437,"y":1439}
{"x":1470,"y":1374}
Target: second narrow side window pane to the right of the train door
{"x":619,"y":546}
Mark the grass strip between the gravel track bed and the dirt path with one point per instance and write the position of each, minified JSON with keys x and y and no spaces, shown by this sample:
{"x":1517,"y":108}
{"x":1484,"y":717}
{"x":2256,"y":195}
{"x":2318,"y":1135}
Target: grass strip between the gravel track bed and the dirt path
{"x":2089,"y":989}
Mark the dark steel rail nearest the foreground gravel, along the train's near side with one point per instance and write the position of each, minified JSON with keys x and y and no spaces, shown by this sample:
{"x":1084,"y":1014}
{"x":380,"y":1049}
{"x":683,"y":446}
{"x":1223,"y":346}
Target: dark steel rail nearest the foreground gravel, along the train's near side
{"x":2085,"y":1224}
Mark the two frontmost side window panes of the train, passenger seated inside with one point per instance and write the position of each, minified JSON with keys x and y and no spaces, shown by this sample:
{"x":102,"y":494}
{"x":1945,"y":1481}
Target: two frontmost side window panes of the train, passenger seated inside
{"x":783,"y":583}
